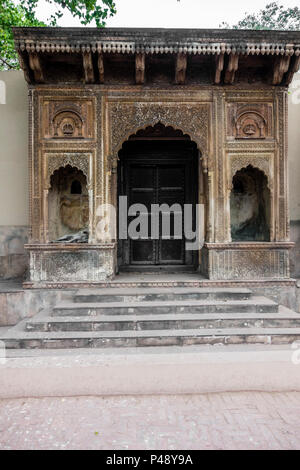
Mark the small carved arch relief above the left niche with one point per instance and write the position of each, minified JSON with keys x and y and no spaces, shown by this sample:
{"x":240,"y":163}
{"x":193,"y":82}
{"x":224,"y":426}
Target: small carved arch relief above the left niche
{"x":67,"y":123}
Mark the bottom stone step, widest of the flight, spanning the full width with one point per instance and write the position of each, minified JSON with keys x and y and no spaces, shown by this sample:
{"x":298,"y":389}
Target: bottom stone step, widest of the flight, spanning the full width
{"x":104,"y":339}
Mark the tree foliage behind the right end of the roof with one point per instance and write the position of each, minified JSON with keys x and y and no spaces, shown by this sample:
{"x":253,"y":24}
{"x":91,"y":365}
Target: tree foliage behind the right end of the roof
{"x":273,"y":16}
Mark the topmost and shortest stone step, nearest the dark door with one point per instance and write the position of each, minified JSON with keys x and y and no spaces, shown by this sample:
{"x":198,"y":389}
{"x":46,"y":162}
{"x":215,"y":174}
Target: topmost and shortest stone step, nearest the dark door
{"x":165,"y":294}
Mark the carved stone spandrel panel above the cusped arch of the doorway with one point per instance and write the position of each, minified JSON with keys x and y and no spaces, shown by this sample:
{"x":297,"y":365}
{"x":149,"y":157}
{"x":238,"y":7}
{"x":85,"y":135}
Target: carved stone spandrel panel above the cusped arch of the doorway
{"x":129,"y":118}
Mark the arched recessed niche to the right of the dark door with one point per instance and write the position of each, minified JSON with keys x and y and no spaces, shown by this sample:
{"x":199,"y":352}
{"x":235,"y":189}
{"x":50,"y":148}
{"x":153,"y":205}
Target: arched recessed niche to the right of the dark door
{"x":250,"y":206}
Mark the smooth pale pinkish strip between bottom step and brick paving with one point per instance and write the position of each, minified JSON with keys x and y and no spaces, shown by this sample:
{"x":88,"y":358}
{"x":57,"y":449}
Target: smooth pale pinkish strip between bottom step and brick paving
{"x":150,"y":374}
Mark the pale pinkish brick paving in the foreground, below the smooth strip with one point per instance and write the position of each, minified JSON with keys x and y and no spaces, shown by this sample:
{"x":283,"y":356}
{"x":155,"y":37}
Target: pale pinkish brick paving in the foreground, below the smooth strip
{"x":248,"y":420}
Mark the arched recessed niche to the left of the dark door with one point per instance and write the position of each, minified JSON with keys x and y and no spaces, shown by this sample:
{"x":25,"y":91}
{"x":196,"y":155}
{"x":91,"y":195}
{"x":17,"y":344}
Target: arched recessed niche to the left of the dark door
{"x":68,"y":202}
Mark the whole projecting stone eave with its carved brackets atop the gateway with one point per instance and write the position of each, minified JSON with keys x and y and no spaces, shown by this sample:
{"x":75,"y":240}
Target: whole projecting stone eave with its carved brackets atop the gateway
{"x":221,"y":52}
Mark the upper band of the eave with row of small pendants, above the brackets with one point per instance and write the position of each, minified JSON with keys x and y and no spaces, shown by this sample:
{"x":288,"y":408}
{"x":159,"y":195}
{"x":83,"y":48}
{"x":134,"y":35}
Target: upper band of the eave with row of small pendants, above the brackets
{"x":155,"y":41}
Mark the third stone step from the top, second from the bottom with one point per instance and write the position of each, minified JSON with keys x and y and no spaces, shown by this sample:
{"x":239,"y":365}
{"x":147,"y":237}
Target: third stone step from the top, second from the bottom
{"x":164,"y":322}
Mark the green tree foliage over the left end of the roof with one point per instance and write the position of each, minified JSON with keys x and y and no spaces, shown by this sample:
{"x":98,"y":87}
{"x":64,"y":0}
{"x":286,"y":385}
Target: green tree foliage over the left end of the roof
{"x":23,"y":13}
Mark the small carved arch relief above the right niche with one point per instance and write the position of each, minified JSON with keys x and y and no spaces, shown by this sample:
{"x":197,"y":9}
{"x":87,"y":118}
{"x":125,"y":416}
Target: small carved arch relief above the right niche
{"x":250,"y":125}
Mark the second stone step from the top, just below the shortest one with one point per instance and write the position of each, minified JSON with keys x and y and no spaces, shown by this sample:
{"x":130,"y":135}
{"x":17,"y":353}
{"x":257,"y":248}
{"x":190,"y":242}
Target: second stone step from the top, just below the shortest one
{"x":254,"y":304}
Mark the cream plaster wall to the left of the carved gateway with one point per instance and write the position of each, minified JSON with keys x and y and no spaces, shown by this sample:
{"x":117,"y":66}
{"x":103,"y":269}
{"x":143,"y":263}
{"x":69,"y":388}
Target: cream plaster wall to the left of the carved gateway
{"x":13,"y":149}
